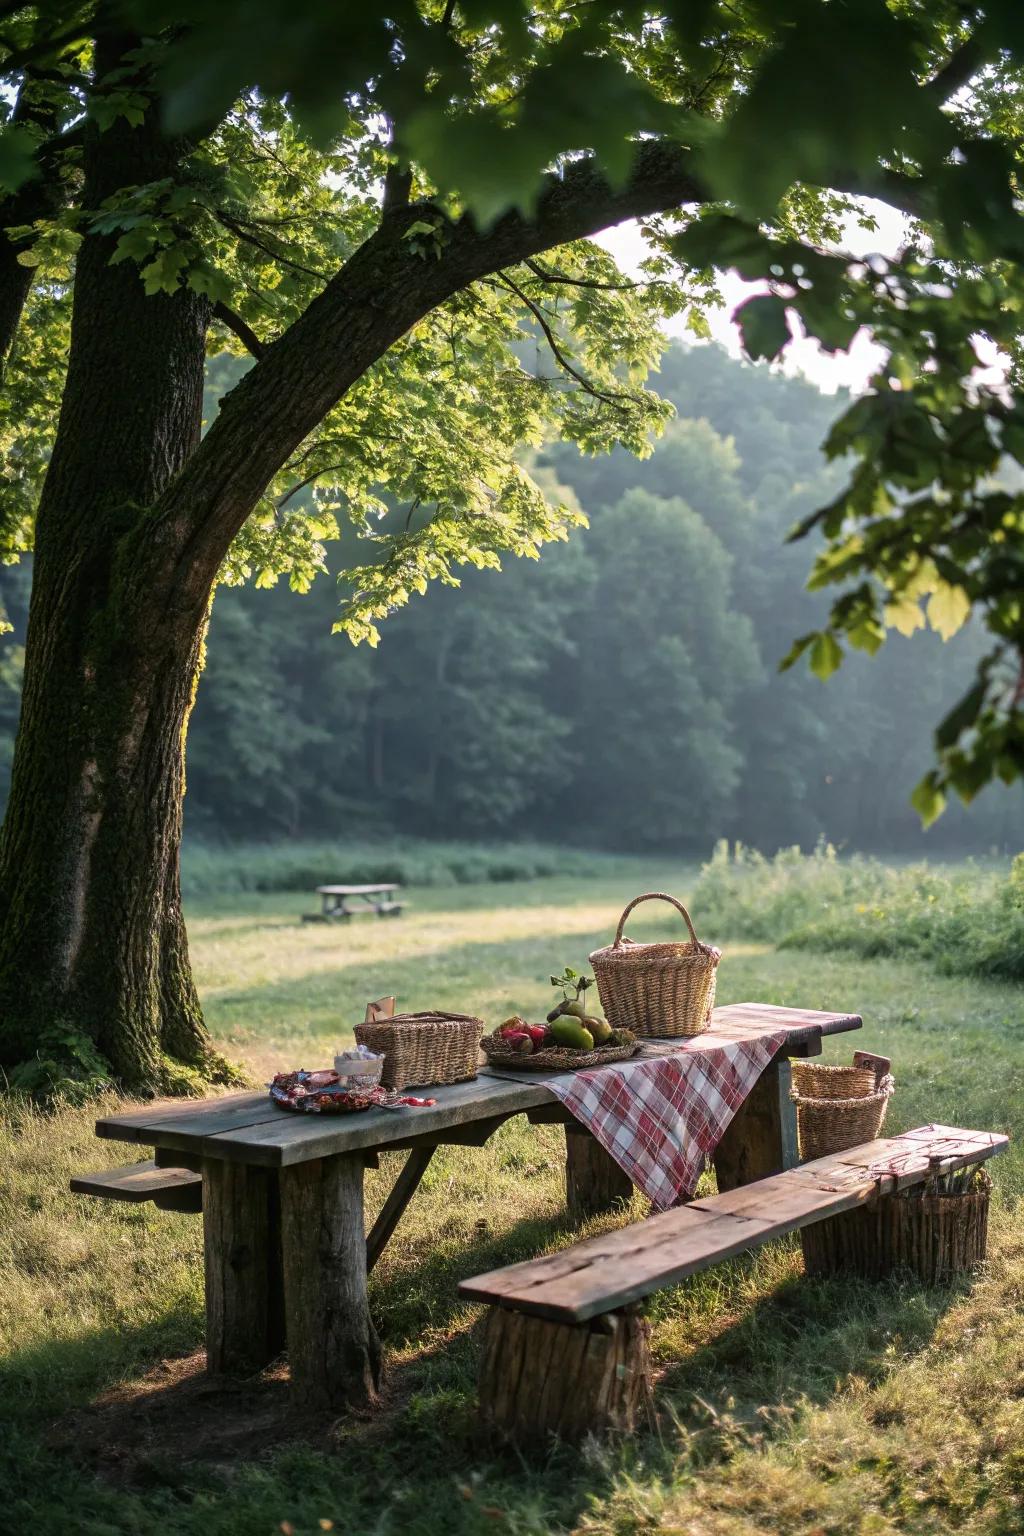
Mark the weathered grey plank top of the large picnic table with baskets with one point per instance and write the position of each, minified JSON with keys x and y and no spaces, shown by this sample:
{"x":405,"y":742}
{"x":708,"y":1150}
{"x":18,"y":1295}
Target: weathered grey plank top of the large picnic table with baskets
{"x":251,"y":1128}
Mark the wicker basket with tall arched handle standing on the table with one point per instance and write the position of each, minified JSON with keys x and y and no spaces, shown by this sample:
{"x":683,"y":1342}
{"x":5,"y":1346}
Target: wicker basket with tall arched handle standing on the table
{"x":661,"y":990}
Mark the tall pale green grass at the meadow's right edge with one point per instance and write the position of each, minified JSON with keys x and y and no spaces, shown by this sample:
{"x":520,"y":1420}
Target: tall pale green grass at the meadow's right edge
{"x":963,"y":919}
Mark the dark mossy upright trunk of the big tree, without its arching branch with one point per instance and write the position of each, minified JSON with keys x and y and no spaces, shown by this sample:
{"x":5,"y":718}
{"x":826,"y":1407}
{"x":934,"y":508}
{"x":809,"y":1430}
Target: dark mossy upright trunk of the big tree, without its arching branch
{"x":91,"y":936}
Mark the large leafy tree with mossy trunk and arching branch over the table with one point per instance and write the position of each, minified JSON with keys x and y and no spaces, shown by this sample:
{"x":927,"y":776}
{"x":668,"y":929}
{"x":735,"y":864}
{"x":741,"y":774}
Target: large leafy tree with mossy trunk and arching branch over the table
{"x":382,"y":207}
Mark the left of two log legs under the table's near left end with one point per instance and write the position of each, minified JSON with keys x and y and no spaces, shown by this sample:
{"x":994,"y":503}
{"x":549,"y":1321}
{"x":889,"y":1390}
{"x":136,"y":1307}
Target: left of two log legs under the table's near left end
{"x":245,"y":1314}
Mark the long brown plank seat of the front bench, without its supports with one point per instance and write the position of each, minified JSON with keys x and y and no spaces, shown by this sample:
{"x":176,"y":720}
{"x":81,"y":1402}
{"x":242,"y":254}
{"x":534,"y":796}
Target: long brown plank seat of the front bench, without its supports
{"x":621,"y":1268}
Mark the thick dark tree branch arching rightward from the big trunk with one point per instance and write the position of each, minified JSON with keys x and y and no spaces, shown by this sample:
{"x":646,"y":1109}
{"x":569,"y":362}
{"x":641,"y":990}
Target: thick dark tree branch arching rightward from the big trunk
{"x":382,"y":293}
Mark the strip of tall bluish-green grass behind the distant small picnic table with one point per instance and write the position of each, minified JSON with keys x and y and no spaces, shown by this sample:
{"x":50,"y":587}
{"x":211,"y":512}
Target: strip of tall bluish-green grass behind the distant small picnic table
{"x":210,"y":870}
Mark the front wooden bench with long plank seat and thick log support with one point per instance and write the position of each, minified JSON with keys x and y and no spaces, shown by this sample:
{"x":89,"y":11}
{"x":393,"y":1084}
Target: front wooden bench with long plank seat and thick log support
{"x":564,"y":1349}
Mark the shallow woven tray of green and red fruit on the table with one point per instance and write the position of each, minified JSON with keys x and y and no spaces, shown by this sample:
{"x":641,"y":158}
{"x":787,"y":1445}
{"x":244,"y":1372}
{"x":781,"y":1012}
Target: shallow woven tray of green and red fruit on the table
{"x":572,"y":1039}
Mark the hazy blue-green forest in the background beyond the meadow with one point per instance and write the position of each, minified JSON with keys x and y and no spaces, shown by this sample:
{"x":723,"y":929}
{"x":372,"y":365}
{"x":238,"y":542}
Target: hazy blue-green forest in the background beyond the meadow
{"x":621,"y":692}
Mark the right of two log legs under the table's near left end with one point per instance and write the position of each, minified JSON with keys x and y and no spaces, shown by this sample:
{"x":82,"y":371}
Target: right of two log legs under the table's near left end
{"x":334,"y":1351}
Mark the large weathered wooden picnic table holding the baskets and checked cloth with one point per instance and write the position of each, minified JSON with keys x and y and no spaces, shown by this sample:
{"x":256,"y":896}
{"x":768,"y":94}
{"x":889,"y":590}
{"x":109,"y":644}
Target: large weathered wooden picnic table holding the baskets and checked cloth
{"x":285,"y":1245}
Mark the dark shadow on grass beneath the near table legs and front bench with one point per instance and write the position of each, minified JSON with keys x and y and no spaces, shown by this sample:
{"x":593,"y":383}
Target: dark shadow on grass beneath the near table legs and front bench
{"x":160,"y":1429}
